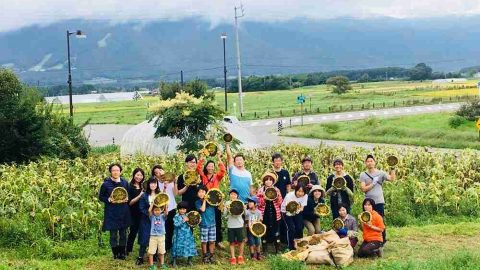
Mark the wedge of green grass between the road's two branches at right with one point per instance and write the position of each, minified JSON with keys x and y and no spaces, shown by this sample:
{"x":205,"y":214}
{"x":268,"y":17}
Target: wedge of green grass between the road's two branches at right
{"x":423,"y":130}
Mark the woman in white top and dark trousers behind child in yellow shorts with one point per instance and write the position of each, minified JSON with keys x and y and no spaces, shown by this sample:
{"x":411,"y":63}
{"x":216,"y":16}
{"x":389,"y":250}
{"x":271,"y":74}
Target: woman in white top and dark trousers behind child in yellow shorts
{"x":172,"y":191}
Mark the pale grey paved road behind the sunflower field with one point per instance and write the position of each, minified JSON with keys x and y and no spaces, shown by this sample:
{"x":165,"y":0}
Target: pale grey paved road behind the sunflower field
{"x":100,"y":135}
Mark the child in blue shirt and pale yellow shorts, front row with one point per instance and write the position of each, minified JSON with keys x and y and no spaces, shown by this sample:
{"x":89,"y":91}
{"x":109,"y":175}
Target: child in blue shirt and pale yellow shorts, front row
{"x":157,"y":235}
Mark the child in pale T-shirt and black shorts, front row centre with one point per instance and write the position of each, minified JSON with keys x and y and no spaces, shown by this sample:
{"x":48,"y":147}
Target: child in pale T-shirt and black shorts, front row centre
{"x":236,"y":234}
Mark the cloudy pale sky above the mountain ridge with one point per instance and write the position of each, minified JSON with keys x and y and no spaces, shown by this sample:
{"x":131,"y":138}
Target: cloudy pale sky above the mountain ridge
{"x":15,"y":14}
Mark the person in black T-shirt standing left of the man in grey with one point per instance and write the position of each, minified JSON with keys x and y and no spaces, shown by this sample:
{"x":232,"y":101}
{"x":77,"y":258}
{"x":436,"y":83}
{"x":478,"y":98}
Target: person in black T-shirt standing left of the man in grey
{"x":342,"y":196}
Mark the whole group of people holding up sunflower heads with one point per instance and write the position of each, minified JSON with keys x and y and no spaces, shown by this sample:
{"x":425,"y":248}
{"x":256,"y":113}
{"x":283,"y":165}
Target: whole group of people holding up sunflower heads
{"x":166,"y":229}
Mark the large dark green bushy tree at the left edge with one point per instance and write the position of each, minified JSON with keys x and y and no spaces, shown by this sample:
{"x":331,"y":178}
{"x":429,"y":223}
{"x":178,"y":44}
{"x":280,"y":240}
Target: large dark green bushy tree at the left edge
{"x":29,"y":128}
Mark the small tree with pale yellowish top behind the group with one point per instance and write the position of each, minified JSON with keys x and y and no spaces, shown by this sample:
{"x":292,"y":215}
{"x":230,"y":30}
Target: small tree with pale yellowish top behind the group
{"x":186,"y":118}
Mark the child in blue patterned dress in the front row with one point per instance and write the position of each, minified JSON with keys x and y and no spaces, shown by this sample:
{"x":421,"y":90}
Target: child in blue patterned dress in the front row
{"x":183,"y":241}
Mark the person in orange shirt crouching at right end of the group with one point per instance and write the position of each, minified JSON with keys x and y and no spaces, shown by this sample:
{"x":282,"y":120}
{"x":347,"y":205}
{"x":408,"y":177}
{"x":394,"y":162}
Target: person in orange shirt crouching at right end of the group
{"x":372,"y":232}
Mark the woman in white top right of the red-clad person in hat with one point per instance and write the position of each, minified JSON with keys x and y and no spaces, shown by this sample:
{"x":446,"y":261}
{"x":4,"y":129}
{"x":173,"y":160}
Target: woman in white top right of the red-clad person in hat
{"x":294,"y":222}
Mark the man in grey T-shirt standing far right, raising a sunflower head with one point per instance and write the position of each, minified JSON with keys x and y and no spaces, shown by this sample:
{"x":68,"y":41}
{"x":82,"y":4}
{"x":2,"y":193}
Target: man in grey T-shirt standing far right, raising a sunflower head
{"x":371,"y":184}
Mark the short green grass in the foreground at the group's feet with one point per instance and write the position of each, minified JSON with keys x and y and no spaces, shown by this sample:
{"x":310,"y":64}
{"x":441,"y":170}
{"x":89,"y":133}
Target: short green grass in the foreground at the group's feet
{"x":440,"y":246}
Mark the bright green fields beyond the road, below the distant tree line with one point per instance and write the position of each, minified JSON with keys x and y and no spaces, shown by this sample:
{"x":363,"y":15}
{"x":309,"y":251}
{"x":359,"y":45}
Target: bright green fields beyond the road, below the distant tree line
{"x":267,"y":104}
